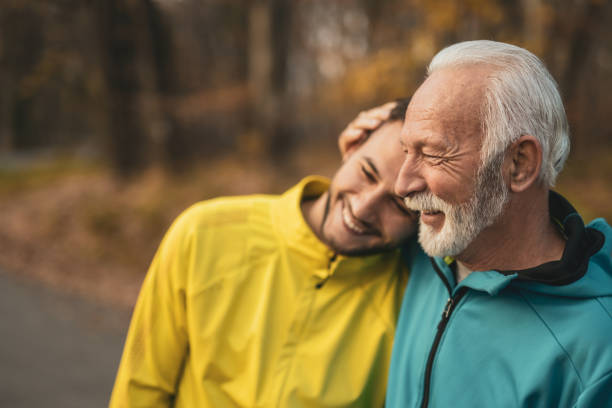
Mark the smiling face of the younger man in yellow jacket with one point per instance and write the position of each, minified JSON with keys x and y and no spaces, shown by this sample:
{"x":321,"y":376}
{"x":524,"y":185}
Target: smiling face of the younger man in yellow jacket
{"x":364,"y":215}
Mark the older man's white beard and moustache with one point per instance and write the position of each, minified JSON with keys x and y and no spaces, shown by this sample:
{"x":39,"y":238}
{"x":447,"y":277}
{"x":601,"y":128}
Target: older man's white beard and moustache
{"x":463,"y":222}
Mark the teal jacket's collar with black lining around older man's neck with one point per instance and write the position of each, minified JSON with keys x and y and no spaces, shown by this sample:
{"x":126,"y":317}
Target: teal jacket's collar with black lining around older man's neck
{"x":581,"y":243}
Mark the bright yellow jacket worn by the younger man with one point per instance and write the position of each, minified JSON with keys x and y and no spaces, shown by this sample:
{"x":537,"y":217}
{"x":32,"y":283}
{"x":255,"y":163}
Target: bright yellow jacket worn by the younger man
{"x":244,"y":307}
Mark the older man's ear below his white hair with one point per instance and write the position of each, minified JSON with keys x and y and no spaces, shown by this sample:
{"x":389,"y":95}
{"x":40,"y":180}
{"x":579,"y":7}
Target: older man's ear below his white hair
{"x":524,"y":162}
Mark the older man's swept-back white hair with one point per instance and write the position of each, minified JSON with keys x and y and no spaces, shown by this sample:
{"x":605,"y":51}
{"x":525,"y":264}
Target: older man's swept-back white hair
{"x":521,"y":98}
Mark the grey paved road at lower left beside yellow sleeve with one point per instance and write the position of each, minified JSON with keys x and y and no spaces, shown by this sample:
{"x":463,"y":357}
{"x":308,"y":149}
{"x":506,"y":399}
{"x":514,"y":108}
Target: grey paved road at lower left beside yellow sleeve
{"x":56,"y":350}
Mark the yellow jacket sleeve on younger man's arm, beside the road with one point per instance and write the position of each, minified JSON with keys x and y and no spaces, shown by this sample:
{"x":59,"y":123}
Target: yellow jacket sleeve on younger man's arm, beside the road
{"x":156,"y":344}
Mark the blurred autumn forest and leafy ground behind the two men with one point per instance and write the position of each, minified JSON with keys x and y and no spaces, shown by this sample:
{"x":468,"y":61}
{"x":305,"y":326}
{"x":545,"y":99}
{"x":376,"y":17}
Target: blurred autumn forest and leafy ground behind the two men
{"x":115,"y":115}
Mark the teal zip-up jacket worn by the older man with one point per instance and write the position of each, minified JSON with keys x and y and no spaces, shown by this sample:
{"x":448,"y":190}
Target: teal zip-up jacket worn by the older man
{"x":540,"y":337}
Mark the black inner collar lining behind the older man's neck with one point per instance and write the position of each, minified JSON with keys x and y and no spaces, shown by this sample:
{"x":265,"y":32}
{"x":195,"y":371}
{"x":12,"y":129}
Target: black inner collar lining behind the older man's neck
{"x":581,"y":244}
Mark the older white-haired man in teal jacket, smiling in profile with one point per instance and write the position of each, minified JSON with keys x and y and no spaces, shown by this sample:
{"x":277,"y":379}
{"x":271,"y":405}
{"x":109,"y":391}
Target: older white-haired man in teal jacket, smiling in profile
{"x":514,"y":309}
